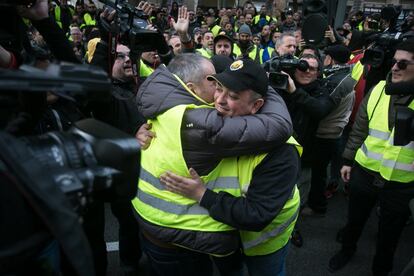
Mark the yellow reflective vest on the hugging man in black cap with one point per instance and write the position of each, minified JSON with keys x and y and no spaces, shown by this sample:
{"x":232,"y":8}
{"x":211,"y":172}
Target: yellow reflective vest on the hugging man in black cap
{"x":276,"y":235}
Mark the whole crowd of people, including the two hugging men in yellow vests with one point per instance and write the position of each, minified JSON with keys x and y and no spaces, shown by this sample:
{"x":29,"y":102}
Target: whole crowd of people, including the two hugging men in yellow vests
{"x":229,"y":162}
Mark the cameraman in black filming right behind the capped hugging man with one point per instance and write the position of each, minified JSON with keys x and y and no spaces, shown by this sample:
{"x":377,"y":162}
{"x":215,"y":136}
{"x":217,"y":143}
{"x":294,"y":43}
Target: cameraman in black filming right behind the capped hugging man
{"x":308,"y":101}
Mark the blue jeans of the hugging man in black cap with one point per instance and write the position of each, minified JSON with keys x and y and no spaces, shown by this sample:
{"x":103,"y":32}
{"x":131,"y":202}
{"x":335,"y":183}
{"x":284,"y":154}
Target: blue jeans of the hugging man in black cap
{"x":268,"y":265}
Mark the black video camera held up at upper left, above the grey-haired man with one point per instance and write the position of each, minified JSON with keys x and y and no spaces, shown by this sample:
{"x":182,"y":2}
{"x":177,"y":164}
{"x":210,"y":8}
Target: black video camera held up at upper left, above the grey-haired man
{"x":132,"y":24}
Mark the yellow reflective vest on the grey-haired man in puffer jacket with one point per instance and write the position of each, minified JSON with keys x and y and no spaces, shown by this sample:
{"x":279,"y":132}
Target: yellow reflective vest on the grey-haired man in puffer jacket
{"x":163,"y":208}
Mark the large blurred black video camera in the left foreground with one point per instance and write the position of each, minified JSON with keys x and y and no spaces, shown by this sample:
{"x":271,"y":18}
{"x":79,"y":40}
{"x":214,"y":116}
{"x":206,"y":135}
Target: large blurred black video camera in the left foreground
{"x":49,"y":179}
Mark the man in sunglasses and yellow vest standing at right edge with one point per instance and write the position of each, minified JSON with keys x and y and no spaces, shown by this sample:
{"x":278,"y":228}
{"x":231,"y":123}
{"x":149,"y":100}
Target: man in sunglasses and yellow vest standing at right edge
{"x":377,"y":170}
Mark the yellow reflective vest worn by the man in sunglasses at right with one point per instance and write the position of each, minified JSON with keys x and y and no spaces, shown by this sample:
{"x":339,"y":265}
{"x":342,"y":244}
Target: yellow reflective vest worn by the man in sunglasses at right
{"x":378,"y":153}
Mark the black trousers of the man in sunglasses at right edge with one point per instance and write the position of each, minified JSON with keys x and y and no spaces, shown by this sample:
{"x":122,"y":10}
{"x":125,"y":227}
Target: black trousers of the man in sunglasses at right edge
{"x":393,"y":199}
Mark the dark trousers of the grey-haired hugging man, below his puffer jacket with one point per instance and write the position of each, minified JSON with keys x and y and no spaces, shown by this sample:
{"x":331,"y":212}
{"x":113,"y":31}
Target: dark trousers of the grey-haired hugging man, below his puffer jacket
{"x":176,"y":261}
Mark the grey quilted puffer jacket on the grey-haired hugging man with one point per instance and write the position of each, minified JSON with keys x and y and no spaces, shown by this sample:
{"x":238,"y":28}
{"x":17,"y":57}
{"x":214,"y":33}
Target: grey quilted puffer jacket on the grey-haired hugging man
{"x":207,"y":136}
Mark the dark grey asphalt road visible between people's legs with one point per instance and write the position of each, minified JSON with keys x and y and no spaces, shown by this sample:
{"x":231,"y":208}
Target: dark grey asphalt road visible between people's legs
{"x":319,"y":245}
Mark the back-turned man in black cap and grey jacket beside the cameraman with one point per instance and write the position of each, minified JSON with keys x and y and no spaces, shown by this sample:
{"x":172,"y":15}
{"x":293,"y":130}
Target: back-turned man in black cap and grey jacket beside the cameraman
{"x":341,"y":86}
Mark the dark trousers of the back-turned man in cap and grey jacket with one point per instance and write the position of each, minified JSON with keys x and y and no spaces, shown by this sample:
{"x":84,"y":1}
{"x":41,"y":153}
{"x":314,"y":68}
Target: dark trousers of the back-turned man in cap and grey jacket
{"x":323,"y":152}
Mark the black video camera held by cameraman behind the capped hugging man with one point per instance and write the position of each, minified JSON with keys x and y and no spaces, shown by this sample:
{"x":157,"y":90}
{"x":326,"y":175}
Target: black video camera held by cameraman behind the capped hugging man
{"x":286,"y":64}
